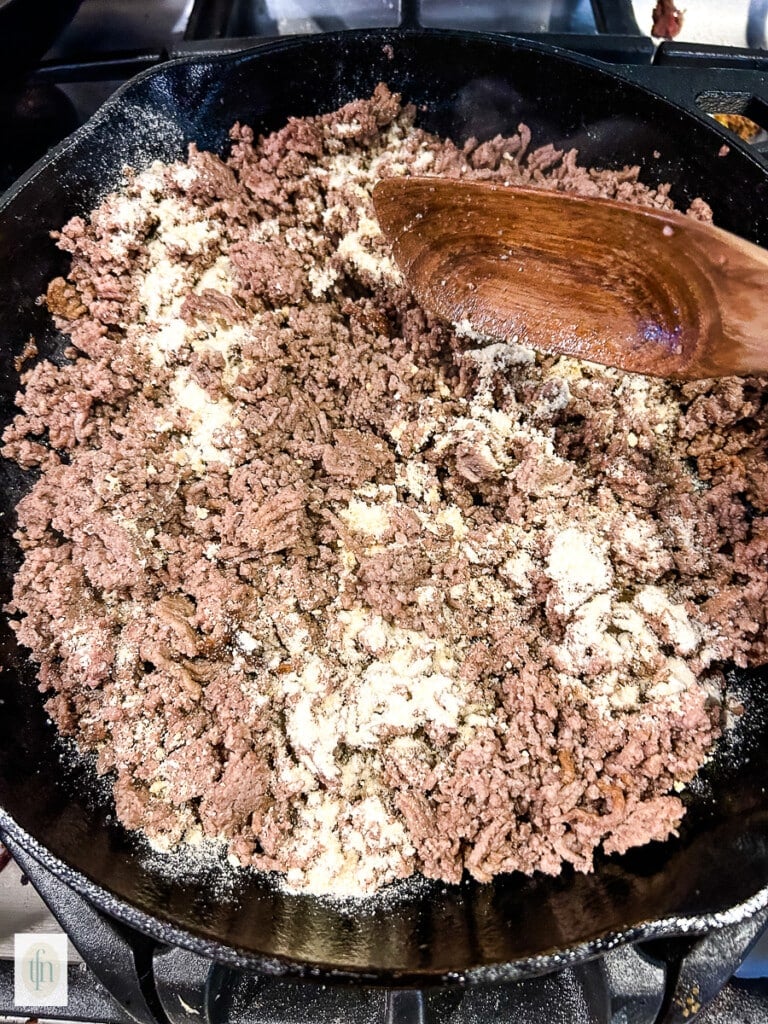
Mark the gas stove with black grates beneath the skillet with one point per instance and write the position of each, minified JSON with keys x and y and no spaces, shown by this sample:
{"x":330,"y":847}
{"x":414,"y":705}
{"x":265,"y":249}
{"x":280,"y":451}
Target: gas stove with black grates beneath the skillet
{"x":116,"y":974}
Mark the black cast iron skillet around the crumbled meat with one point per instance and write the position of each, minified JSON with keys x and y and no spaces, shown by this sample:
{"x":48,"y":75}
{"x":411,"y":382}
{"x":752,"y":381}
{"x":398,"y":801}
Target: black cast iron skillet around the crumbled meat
{"x":716,"y":871}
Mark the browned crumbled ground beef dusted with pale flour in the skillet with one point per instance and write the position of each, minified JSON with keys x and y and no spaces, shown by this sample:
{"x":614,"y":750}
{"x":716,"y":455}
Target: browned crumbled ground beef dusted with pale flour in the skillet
{"x":349,"y":589}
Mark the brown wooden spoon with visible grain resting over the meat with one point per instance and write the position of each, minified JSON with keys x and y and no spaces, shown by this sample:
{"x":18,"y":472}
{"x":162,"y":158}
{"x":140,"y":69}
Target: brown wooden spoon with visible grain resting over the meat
{"x":643,"y":290}
